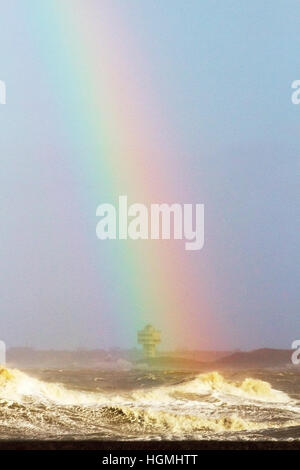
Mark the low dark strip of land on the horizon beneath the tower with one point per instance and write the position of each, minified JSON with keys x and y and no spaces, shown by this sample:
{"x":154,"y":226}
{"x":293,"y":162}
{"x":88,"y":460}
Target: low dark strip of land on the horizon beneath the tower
{"x":118,"y":359}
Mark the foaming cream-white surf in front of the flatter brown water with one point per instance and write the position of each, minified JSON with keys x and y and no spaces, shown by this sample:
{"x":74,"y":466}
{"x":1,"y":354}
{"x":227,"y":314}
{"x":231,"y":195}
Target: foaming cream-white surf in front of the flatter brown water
{"x":207,"y":403}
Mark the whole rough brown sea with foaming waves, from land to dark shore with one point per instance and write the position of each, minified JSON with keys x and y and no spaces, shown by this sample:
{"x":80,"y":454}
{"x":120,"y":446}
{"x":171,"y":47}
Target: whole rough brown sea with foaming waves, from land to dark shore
{"x":49,"y":404}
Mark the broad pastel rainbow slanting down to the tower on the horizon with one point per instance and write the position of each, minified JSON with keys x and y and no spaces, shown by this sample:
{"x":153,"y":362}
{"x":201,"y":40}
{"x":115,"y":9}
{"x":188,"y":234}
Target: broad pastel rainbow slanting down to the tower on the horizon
{"x":109,"y":129}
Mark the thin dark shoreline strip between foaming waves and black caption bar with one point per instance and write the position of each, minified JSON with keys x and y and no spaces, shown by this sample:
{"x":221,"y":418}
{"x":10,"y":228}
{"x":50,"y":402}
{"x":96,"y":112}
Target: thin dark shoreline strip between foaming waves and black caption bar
{"x":149,"y":445}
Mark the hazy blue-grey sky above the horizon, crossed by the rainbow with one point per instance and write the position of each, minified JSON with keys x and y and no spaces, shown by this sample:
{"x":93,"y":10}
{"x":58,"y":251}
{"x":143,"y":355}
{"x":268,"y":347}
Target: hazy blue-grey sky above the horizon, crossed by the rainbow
{"x":221,"y":72}
